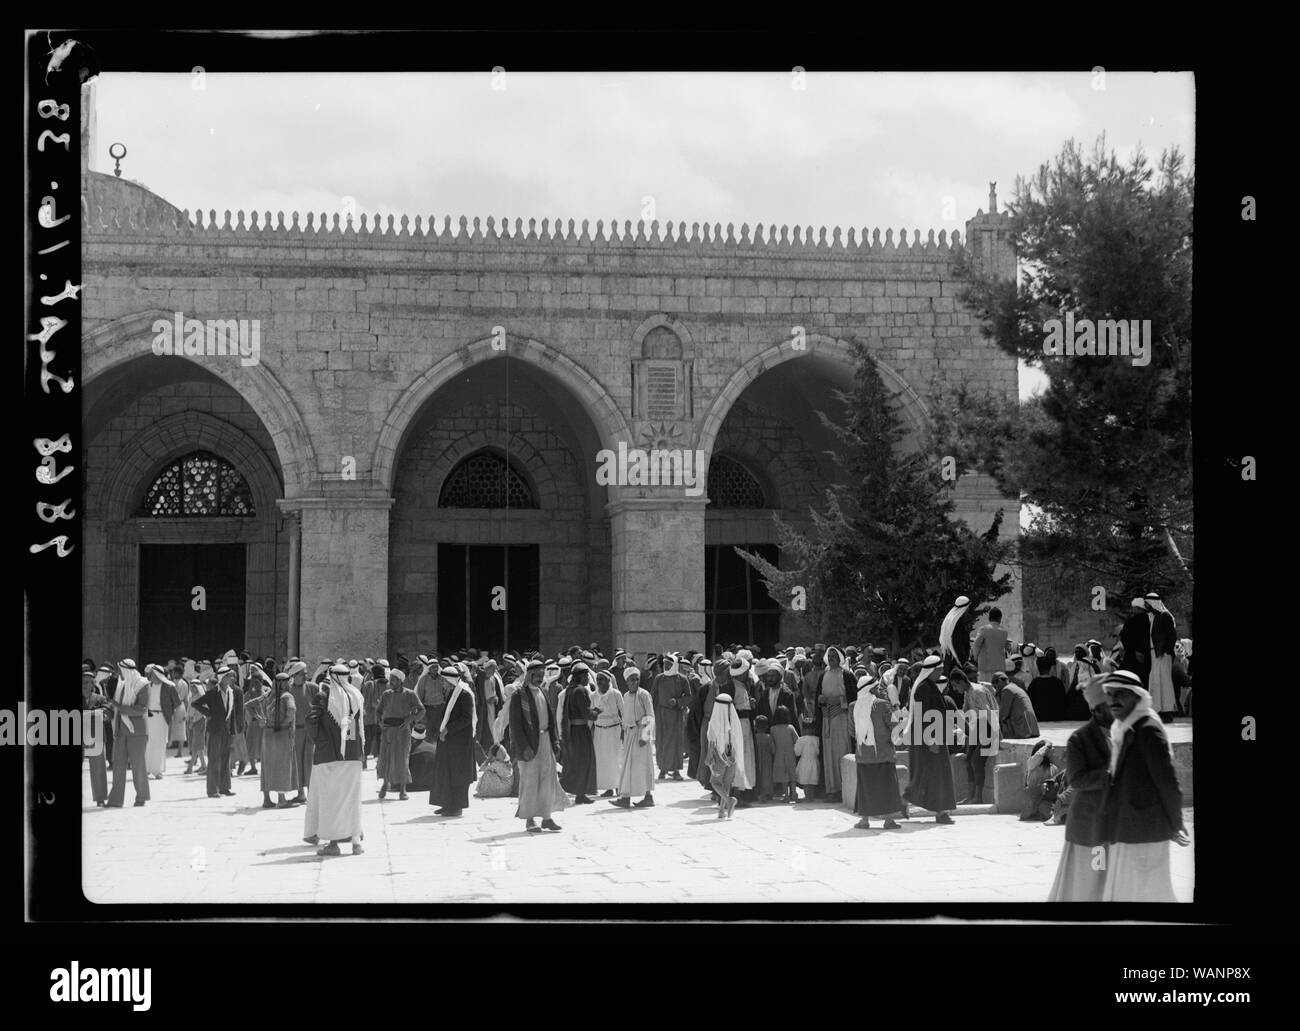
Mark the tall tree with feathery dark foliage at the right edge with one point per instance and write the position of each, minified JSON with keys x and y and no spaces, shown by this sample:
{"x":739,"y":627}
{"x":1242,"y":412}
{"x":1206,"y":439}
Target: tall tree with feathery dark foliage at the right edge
{"x":1104,"y":454}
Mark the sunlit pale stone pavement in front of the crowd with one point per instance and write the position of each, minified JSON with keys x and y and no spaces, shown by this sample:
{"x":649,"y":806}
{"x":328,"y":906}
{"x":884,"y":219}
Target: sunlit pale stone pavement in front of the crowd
{"x":187,"y":848}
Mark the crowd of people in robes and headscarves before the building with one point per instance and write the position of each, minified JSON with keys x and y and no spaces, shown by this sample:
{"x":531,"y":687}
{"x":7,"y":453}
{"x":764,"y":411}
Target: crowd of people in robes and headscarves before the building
{"x":751,"y":729}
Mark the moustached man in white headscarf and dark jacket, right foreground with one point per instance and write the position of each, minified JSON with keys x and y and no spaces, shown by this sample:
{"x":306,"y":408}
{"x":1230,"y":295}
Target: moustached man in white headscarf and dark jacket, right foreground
{"x":1143,"y":807}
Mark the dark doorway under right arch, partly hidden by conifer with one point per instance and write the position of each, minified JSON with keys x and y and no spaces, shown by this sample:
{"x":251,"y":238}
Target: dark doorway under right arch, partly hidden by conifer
{"x":738,"y":608}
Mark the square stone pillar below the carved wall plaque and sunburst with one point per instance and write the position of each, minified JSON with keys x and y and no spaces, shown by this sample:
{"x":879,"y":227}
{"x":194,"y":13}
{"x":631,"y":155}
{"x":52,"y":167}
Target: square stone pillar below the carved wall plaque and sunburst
{"x":658,"y":547}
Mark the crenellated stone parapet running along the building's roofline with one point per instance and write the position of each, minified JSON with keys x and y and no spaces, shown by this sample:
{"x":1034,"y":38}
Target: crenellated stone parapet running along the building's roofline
{"x":448,"y":231}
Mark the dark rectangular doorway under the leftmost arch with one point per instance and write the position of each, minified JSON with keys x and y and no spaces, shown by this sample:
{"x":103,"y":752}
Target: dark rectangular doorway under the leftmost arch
{"x":171,"y":629}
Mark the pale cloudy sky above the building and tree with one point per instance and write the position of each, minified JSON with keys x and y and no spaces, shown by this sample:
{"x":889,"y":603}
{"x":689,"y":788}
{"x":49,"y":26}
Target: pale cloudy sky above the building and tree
{"x":912,"y":151}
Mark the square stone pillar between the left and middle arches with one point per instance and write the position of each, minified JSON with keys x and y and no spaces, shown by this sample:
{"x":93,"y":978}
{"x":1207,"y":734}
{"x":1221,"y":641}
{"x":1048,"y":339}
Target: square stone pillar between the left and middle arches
{"x":344,"y":575}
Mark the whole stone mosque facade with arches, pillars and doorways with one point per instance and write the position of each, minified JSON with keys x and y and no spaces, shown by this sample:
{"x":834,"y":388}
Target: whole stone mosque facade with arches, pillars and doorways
{"x":411,"y":463}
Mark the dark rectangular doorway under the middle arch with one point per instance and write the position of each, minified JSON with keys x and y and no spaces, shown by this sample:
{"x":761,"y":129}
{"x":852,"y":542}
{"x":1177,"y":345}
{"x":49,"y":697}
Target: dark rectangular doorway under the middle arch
{"x":469,"y":582}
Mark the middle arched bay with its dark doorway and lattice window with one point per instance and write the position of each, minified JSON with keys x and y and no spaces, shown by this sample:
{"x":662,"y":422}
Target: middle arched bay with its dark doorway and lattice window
{"x":499,"y":536}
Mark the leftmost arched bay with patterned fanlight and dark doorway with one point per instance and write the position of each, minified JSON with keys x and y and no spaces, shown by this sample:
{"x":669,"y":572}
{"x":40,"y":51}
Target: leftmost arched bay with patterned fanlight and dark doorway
{"x":185,"y":549}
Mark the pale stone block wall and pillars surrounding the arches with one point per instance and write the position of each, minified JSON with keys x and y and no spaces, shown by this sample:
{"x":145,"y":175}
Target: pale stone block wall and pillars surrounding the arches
{"x":354,"y":327}
